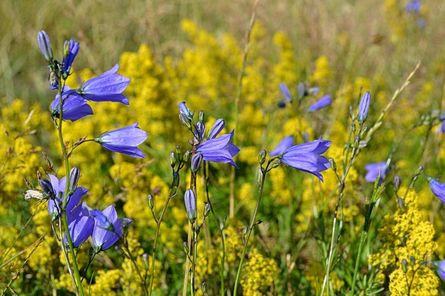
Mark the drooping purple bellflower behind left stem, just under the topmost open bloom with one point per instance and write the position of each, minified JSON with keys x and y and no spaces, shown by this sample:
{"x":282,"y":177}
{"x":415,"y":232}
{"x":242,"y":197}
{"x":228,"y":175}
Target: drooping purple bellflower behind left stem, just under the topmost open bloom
{"x":74,"y":106}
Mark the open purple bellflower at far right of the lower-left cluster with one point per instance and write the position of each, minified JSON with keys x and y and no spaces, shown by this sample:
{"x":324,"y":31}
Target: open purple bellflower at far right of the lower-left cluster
{"x":108,"y":228}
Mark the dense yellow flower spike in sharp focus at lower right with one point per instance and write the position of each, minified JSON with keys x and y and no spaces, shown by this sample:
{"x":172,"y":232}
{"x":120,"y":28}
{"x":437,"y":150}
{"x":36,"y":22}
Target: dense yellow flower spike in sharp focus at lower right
{"x":407,"y":247}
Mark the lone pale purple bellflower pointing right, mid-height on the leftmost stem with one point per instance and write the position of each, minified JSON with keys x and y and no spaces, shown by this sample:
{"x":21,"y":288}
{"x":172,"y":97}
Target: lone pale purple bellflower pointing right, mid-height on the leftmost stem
{"x":124,"y":140}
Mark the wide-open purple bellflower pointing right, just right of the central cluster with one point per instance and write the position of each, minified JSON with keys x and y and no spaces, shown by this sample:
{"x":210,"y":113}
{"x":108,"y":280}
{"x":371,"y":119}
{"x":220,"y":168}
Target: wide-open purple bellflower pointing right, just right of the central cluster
{"x":305,"y":157}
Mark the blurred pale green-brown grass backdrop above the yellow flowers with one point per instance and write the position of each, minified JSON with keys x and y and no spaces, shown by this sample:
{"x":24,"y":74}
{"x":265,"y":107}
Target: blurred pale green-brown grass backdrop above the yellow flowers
{"x":107,"y":28}
